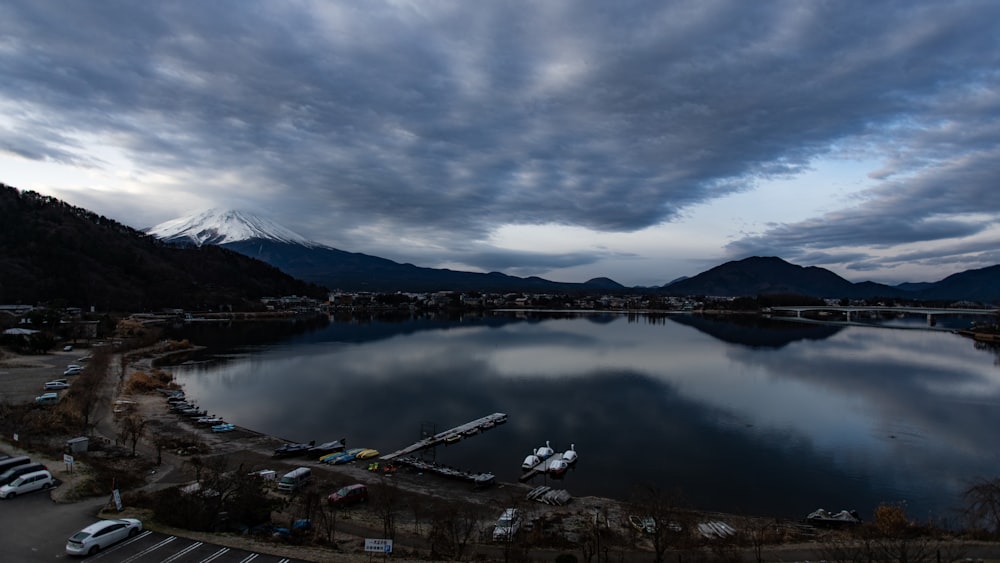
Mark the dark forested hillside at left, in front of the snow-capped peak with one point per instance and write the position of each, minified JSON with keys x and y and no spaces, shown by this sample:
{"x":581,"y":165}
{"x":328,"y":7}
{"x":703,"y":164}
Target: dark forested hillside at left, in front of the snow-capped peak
{"x":53,"y":252}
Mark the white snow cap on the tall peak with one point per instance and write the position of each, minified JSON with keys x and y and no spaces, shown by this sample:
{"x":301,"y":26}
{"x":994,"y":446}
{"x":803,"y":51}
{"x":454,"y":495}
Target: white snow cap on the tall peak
{"x":219,"y":226}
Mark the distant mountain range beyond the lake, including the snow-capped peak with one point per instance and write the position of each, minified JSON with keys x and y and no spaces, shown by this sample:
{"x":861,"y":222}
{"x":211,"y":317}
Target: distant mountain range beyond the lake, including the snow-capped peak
{"x":262,"y":239}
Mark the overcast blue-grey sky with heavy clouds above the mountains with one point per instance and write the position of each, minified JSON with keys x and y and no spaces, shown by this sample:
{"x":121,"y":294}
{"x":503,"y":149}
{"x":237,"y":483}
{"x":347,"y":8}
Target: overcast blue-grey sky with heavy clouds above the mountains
{"x":636,"y":140}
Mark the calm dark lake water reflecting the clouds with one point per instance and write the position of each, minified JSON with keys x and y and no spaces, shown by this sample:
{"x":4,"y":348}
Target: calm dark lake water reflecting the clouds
{"x":744,"y":415}
